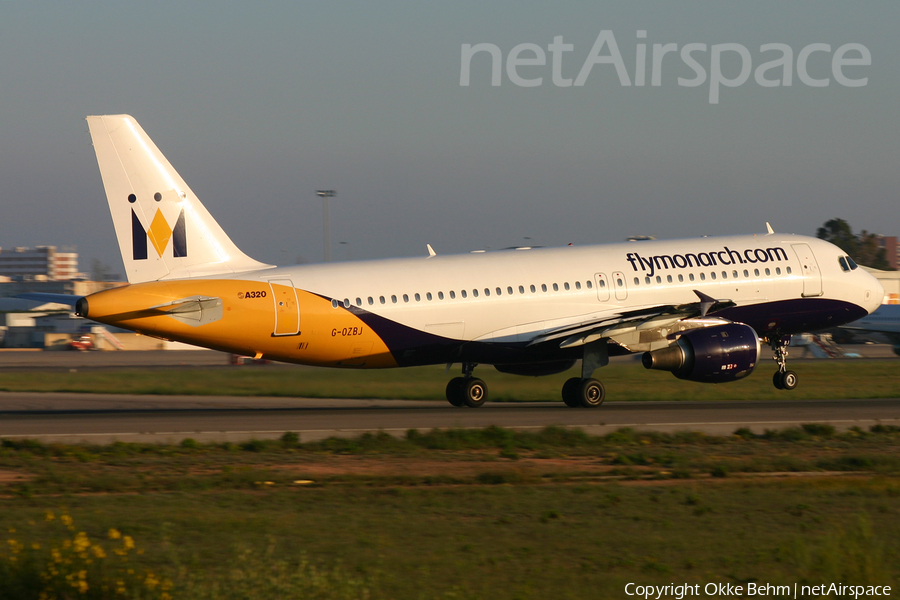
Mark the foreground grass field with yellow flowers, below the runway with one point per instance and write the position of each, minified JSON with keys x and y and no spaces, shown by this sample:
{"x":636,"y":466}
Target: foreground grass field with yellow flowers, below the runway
{"x":456,"y":513}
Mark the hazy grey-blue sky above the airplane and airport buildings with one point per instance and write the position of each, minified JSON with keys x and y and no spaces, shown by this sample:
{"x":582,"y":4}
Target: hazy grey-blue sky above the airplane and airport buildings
{"x":259,"y":104}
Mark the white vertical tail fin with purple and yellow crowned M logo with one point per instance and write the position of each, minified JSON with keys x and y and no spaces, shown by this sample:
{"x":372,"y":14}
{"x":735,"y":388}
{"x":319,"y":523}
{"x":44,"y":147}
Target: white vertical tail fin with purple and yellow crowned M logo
{"x":164,"y":231}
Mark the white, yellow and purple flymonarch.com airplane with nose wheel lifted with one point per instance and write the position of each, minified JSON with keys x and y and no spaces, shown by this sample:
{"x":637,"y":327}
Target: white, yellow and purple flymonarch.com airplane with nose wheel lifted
{"x":699,"y":308}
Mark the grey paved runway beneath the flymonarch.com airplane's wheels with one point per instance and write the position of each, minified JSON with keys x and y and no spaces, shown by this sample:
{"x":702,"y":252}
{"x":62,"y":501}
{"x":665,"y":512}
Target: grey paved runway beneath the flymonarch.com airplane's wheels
{"x":105,"y":418}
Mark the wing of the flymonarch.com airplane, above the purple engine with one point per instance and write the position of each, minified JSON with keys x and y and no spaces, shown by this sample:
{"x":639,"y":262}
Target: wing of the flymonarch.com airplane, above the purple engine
{"x":630,"y":321}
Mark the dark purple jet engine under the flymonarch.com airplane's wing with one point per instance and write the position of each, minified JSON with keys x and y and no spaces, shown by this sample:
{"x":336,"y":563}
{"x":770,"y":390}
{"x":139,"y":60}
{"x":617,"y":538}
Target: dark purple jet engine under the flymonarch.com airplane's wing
{"x":709,"y":354}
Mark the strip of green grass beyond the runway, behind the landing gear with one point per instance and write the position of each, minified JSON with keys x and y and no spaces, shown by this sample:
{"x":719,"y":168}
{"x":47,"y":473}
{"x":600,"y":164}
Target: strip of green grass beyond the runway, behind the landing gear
{"x":624,"y":382}
